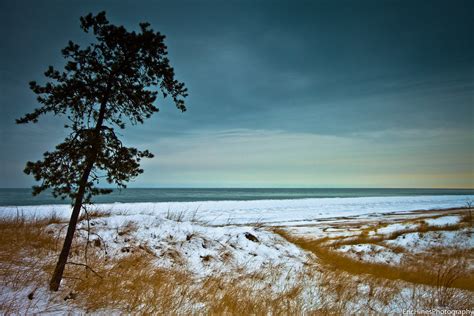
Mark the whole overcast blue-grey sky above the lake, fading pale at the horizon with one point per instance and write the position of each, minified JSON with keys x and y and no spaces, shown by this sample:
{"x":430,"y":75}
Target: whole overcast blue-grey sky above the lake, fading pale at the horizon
{"x":281,"y":93}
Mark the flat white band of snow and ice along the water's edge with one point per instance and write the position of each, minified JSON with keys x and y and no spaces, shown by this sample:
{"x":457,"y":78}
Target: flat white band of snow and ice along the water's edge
{"x":260,"y":211}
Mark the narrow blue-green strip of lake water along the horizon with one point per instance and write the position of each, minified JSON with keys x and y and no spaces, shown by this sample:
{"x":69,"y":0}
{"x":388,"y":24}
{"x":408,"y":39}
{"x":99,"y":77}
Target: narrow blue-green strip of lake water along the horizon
{"x":22,"y":197}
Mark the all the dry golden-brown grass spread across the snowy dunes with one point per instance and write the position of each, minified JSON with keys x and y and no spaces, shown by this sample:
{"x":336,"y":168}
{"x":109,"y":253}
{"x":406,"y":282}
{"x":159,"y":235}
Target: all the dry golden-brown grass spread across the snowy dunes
{"x":331,"y":281}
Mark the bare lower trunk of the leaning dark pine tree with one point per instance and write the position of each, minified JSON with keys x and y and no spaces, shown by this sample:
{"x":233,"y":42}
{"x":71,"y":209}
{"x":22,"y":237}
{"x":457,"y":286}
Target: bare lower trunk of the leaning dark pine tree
{"x":62,"y":260}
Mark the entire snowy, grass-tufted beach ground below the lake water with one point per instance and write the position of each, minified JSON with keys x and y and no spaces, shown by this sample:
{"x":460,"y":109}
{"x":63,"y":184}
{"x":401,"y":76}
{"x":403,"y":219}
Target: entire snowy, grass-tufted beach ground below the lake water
{"x":297,"y":256}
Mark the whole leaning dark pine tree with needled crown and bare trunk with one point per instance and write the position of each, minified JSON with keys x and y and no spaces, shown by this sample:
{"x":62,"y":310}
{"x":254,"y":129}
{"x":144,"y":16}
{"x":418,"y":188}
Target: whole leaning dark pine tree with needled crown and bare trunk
{"x":103,"y":86}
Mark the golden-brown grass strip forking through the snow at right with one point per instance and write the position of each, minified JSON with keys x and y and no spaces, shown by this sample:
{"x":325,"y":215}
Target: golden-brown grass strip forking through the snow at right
{"x":436,"y":269}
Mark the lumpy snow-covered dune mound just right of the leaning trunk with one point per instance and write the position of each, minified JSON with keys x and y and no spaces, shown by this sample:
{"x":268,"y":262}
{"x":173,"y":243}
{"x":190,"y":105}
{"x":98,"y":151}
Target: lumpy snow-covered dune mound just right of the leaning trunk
{"x":202,"y":250}
